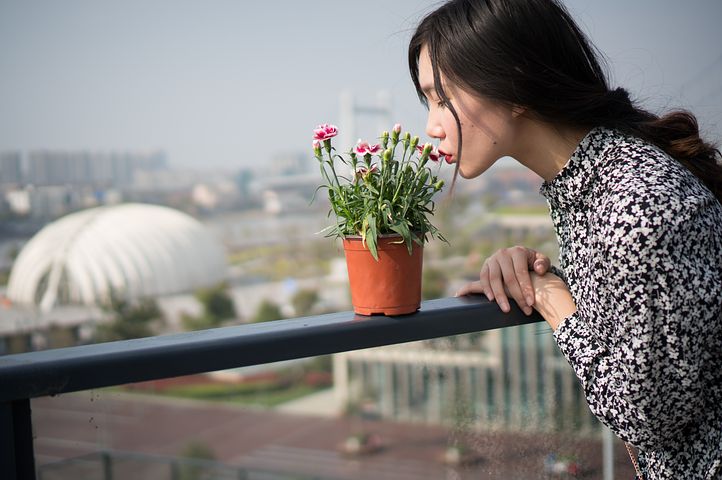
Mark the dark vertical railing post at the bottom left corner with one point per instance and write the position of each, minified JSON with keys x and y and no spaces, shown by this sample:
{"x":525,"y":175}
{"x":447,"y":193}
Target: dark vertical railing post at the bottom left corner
{"x":17,"y":460}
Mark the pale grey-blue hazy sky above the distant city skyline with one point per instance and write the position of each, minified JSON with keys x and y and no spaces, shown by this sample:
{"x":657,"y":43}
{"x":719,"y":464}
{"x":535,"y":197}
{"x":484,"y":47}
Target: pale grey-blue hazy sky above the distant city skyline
{"x":230,"y":82}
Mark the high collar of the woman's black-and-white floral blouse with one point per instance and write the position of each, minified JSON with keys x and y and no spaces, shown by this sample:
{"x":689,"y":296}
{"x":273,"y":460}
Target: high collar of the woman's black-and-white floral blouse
{"x":573,"y":183}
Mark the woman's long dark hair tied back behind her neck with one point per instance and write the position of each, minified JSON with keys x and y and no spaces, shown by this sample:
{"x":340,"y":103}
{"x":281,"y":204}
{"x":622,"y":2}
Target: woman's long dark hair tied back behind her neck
{"x":532,"y":54}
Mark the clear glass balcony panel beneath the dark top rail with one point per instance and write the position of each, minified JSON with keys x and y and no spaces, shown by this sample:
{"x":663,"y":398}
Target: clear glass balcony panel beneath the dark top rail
{"x":499,"y":404}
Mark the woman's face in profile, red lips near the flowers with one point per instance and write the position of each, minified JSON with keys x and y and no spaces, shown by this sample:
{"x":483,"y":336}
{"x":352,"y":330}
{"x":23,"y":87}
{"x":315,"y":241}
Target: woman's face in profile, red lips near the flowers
{"x":488,"y":128}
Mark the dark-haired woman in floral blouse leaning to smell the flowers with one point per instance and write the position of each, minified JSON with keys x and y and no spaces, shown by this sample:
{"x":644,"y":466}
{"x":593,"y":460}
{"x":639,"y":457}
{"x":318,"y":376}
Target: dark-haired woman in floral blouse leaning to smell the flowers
{"x":636,"y":305}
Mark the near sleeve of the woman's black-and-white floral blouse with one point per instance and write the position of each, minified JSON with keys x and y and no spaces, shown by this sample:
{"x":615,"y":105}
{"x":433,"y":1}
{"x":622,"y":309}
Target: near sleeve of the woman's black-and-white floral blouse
{"x":659,"y":293}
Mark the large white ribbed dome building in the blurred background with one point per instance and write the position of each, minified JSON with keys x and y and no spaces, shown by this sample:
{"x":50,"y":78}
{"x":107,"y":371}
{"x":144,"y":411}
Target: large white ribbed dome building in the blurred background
{"x":134,"y":250}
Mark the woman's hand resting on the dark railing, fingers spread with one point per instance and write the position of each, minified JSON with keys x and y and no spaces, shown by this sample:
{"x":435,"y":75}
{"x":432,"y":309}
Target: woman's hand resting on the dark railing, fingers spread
{"x":507,"y":272}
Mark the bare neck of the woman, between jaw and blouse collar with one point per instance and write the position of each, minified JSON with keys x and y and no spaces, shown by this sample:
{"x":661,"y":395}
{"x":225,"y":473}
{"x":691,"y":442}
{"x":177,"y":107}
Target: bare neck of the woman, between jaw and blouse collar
{"x":546,"y":148}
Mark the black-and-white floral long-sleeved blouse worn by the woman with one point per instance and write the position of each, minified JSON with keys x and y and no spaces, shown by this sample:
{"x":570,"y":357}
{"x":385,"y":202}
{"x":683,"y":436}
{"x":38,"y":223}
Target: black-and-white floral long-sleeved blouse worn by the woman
{"x":641,"y":250}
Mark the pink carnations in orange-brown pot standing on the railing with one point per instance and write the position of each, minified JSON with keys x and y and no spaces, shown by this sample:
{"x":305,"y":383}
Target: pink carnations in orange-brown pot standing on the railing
{"x":381,"y":196}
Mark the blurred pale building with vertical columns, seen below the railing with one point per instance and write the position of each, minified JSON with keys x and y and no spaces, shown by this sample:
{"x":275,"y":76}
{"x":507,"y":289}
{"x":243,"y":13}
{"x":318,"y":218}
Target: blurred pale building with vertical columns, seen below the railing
{"x":507,"y":379}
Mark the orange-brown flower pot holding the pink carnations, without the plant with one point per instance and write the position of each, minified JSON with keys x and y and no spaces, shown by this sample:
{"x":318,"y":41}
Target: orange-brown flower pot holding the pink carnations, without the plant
{"x":389,"y":286}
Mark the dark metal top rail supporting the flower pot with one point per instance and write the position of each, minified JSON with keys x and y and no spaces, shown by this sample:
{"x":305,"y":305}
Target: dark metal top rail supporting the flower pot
{"x":51,"y":372}
